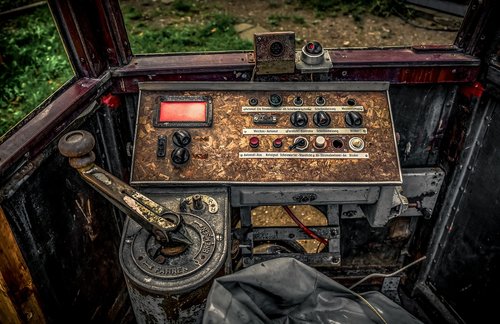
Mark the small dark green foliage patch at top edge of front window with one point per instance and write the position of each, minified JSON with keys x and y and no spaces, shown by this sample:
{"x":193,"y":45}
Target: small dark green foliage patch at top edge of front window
{"x":356,"y":8}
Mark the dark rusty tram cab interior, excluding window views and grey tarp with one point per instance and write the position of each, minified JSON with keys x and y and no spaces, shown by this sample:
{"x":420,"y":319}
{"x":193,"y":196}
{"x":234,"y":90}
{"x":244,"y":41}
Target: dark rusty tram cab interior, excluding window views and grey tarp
{"x":148,"y":177}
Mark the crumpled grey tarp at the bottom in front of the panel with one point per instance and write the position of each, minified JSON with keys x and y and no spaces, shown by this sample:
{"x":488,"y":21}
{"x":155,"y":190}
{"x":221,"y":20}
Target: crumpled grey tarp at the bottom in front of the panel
{"x":285,"y":290}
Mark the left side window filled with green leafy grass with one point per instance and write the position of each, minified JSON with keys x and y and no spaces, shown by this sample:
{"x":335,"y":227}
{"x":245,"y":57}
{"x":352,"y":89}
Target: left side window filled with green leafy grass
{"x":33,"y":63}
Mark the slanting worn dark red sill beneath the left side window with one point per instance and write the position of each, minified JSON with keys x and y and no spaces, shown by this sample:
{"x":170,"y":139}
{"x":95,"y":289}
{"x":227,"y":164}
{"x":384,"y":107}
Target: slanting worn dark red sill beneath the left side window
{"x":33,"y":137}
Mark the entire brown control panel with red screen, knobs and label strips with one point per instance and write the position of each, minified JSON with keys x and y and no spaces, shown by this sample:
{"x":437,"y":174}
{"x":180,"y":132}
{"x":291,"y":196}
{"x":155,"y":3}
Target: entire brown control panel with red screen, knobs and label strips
{"x":265,"y":133}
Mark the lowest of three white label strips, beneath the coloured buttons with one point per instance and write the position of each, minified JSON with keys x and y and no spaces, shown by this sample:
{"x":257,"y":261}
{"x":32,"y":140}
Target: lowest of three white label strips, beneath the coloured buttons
{"x":304,"y":155}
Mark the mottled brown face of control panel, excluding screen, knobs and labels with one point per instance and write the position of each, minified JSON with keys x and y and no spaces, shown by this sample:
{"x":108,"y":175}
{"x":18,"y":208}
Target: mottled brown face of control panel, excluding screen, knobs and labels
{"x":215,"y":150}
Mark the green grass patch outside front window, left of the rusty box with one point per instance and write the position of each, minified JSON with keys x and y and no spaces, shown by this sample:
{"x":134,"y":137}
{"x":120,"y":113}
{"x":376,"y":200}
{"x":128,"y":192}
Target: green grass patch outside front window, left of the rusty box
{"x":215,"y":35}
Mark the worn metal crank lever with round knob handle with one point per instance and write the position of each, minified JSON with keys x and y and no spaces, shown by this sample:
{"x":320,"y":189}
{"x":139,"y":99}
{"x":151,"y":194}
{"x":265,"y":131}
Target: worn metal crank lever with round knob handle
{"x":164,"y":224}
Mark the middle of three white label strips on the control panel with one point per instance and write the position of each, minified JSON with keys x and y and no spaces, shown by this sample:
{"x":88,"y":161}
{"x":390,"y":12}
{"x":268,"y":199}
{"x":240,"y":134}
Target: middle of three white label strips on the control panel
{"x":303,"y":131}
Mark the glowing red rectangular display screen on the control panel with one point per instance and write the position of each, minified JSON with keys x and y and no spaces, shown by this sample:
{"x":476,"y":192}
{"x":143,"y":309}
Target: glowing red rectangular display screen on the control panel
{"x":183,"y":111}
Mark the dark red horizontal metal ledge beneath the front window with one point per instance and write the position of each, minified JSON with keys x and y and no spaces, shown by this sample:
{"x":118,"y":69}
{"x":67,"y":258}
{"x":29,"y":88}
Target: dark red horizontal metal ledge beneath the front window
{"x":396,"y":65}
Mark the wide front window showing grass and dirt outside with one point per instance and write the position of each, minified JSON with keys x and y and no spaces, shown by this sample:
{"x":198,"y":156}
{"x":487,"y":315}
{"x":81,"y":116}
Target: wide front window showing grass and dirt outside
{"x":160,"y":26}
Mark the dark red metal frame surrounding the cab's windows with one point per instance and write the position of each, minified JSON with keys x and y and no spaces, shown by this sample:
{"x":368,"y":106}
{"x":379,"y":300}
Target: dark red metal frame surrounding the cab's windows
{"x":97,"y":44}
